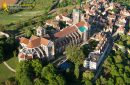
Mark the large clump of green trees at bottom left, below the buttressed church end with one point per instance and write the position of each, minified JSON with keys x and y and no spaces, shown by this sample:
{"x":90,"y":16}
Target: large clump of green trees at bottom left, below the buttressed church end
{"x":33,"y":73}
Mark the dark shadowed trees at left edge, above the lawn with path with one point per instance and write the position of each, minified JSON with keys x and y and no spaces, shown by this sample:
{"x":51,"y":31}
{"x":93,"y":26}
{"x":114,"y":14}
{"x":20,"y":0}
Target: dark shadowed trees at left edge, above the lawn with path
{"x":7,"y":46}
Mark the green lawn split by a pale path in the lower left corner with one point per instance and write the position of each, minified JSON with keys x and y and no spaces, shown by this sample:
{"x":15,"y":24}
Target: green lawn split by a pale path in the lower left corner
{"x":5,"y":73}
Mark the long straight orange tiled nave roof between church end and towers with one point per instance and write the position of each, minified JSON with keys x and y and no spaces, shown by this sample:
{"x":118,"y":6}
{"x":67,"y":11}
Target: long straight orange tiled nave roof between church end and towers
{"x":65,"y":31}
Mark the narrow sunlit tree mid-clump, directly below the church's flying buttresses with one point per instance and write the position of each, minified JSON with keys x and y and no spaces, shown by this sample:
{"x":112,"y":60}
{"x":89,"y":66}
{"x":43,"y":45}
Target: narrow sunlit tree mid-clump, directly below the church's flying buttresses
{"x":37,"y":67}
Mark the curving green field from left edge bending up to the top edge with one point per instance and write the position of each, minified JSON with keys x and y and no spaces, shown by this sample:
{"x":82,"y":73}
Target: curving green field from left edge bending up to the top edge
{"x":40,"y":8}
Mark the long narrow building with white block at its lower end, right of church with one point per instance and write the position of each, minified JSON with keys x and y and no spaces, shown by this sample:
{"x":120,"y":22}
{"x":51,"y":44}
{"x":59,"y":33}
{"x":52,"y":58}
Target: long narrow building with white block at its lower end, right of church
{"x":94,"y":58}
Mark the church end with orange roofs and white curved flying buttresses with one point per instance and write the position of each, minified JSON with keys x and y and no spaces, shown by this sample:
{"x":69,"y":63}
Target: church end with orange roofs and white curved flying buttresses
{"x":35,"y":47}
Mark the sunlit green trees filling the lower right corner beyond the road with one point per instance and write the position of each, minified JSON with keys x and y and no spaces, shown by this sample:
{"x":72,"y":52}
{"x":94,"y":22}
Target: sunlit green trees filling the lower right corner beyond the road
{"x":116,"y":68}
